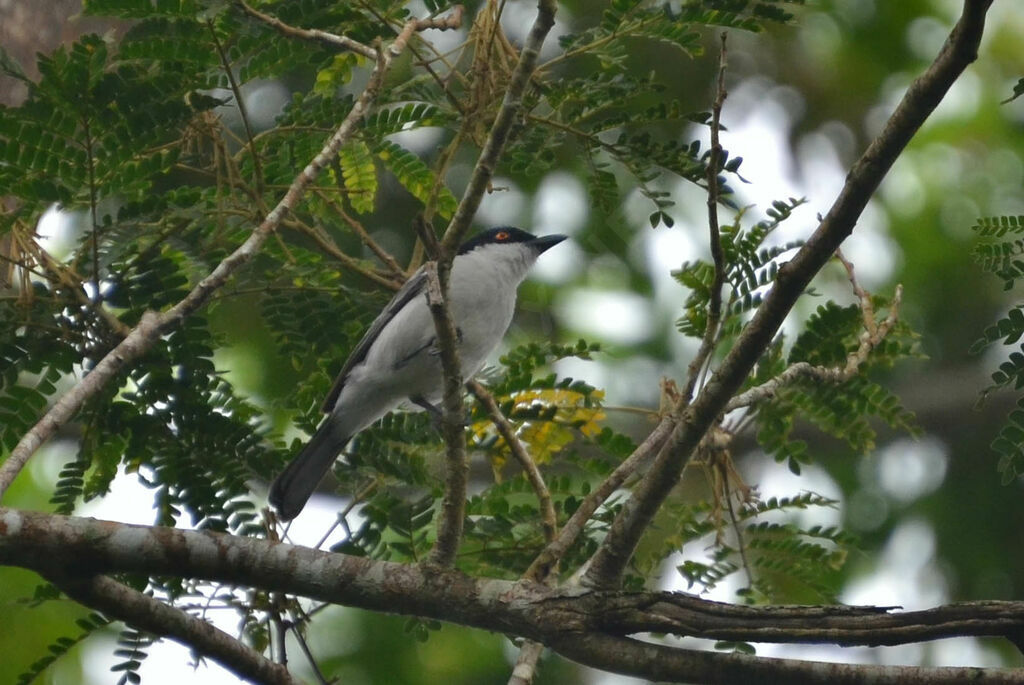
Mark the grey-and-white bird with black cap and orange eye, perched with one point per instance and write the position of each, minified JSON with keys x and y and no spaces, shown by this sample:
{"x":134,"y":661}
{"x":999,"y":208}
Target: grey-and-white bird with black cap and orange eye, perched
{"x":398,"y":363}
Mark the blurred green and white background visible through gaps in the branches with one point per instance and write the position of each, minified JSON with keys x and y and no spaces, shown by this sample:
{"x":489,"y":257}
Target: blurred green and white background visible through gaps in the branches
{"x":935,"y":524}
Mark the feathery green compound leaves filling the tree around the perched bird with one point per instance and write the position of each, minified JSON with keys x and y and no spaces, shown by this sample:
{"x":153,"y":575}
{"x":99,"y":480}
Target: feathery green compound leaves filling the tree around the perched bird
{"x":146,"y":134}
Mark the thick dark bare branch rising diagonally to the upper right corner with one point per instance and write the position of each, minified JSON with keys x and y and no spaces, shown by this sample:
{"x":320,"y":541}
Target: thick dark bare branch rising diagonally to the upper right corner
{"x":921,"y":100}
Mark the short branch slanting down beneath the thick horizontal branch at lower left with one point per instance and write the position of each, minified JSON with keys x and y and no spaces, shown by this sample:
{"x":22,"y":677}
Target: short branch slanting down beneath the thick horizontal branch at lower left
{"x":121,"y":603}
